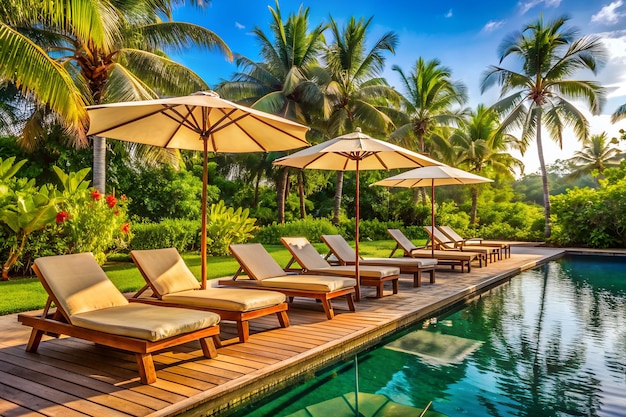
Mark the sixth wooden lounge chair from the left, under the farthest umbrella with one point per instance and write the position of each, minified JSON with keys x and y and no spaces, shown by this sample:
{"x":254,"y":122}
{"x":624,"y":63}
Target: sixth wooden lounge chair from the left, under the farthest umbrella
{"x":444,"y":257}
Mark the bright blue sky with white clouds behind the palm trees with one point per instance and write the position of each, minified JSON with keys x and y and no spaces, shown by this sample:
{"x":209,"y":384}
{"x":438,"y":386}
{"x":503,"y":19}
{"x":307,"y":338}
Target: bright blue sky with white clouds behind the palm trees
{"x":463,"y":35}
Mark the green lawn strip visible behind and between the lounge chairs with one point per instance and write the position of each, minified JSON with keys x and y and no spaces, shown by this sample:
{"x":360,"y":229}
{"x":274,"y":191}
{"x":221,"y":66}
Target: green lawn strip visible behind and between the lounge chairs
{"x":26,"y":293}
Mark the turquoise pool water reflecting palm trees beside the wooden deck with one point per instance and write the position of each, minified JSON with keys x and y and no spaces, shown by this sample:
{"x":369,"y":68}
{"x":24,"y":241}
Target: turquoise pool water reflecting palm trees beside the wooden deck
{"x":551,"y":342}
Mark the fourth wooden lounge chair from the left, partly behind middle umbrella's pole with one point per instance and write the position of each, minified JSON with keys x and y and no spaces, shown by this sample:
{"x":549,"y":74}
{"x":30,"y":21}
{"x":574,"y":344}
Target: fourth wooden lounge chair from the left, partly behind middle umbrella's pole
{"x":312,"y":262}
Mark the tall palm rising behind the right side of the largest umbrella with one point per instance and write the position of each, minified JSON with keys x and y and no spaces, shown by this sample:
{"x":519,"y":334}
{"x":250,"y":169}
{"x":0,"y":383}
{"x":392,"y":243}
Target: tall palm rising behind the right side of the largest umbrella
{"x":287,"y":82}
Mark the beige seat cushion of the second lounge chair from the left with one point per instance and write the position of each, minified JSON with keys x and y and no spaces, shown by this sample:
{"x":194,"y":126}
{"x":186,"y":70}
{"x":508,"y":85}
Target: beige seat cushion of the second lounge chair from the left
{"x":231,"y":299}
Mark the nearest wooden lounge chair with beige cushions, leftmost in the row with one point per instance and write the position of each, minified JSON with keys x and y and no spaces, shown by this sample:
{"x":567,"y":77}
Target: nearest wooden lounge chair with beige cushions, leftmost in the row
{"x":90,"y":307}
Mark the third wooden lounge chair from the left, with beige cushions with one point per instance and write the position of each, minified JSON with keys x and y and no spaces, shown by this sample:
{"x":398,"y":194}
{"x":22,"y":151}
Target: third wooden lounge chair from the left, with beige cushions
{"x":264,"y":273}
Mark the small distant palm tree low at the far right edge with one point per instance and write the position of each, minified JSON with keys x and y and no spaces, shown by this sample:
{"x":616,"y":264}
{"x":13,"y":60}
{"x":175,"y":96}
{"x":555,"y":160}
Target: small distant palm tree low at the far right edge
{"x":596,"y":155}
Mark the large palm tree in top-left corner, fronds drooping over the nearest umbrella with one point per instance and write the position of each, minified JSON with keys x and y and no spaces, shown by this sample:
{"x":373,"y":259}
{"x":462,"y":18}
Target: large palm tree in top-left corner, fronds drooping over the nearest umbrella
{"x":68,"y":54}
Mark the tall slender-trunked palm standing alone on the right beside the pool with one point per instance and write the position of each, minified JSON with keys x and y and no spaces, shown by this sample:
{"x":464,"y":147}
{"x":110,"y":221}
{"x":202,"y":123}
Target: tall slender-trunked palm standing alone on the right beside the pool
{"x":539,"y":92}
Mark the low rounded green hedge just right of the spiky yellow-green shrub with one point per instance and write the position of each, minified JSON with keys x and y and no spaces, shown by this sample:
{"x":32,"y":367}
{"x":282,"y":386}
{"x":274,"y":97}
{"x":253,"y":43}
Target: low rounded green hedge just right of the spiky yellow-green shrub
{"x":310,"y":228}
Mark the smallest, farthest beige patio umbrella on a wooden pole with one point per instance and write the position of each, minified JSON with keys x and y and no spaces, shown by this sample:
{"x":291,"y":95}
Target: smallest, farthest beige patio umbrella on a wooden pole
{"x":432,"y":176}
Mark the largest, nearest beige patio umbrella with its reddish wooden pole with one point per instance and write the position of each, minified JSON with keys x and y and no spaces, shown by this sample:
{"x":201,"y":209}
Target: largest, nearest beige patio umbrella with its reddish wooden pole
{"x":201,"y":122}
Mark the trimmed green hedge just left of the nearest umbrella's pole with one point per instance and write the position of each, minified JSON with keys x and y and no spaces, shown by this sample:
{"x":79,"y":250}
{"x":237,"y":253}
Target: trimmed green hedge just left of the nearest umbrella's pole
{"x":181,"y":234}
